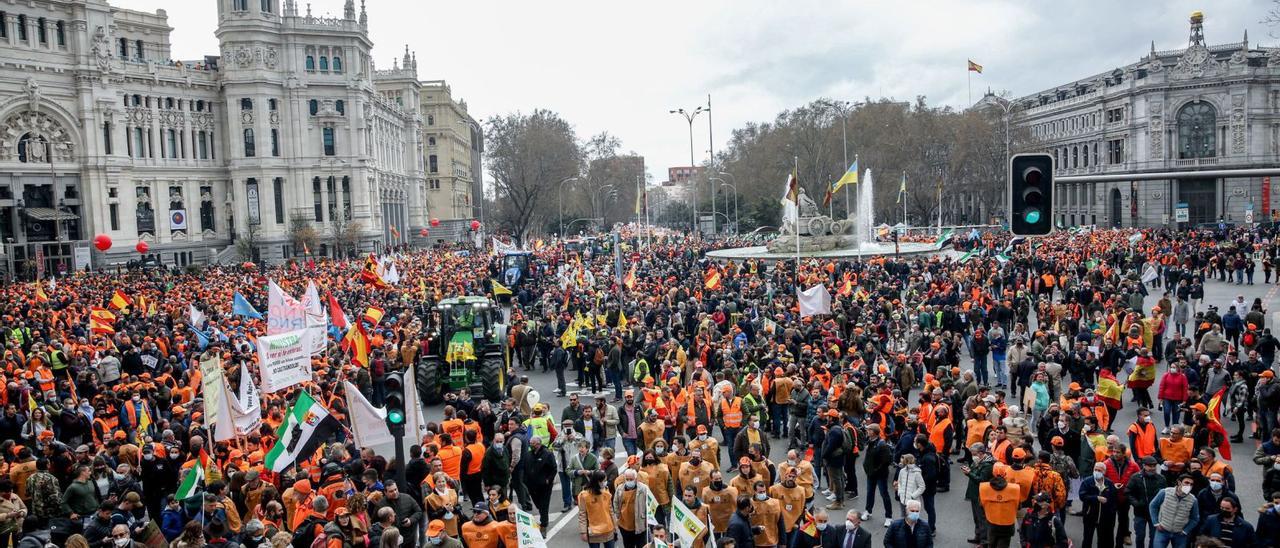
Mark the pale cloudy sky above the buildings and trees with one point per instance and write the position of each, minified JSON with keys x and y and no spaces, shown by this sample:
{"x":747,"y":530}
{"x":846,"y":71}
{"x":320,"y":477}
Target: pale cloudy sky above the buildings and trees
{"x":620,"y":67}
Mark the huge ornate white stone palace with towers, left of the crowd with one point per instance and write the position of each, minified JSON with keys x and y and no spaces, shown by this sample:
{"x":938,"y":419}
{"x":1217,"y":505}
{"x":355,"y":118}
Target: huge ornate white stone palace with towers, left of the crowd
{"x":289,"y":126}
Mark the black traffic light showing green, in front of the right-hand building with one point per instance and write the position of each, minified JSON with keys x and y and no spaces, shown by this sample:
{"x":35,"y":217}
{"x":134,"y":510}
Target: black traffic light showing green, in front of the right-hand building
{"x":1031,"y":194}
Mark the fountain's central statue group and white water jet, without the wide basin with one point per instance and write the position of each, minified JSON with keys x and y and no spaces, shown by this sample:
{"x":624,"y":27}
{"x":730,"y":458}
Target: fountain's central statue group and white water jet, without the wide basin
{"x":807,"y":230}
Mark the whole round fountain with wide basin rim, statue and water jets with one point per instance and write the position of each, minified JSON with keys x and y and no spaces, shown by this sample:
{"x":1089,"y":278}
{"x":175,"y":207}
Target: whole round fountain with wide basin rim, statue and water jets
{"x":808,"y":234}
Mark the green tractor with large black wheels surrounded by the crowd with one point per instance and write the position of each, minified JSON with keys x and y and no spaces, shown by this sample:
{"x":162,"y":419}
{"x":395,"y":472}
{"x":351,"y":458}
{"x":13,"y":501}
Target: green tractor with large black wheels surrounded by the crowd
{"x":467,"y":351}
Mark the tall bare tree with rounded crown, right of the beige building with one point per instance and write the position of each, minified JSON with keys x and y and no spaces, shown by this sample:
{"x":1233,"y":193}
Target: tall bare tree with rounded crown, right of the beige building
{"x":529,"y":156}
